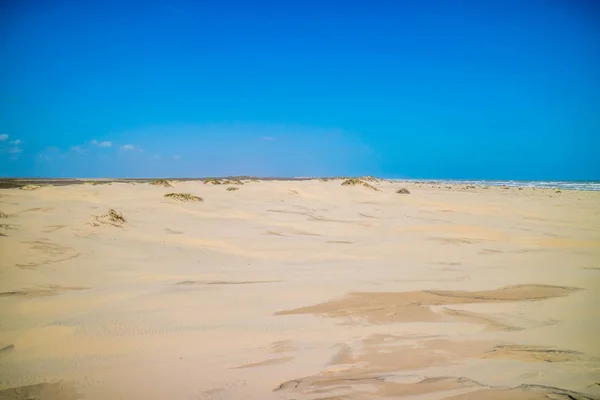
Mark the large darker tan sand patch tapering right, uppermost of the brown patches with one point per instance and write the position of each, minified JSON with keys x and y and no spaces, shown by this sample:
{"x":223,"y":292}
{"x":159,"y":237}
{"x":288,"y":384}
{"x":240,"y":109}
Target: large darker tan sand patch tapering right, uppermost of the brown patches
{"x":387,"y":307}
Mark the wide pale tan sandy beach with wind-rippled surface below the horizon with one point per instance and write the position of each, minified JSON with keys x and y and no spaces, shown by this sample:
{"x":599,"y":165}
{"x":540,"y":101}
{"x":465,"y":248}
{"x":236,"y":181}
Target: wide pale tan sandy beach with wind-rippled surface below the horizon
{"x":299,"y":290}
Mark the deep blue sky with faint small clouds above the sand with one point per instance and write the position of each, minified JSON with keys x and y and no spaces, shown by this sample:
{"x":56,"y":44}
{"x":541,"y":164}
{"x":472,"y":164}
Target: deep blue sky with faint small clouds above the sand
{"x":506,"y":89}
